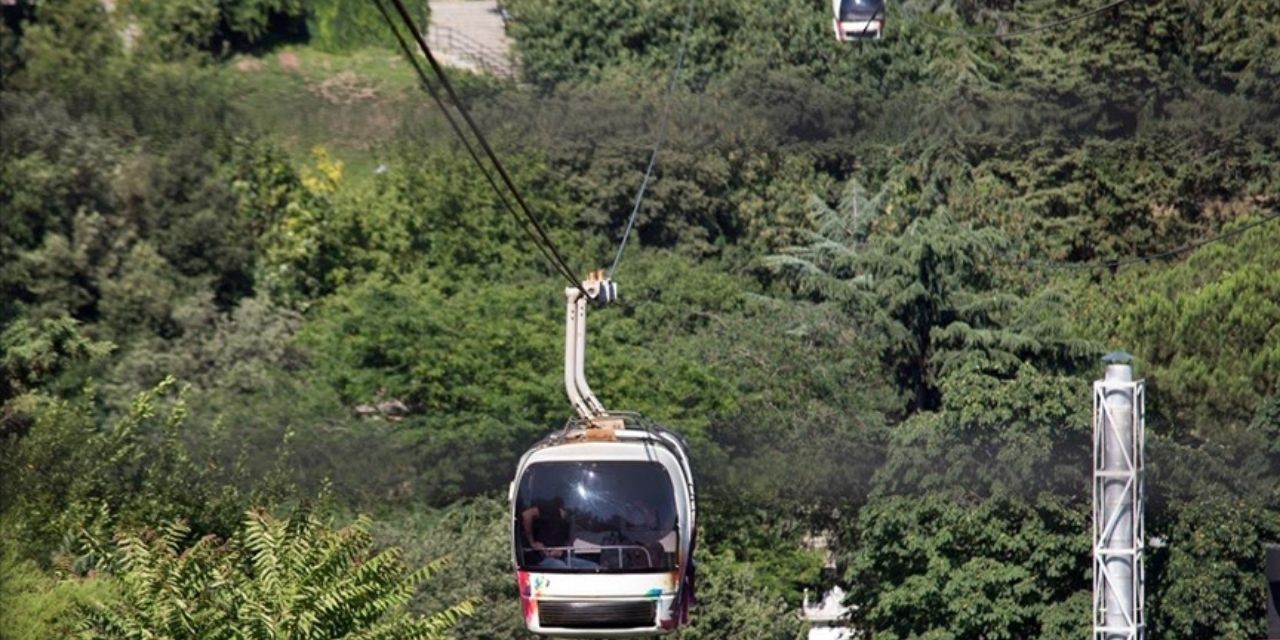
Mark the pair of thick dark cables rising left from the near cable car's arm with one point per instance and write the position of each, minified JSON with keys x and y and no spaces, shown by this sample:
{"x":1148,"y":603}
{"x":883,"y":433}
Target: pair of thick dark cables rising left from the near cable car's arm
{"x":540,"y":234}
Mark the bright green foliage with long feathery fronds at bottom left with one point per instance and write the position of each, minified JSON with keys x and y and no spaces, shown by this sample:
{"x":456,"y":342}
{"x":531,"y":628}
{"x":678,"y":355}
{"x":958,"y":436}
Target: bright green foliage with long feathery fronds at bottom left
{"x":294,"y":579}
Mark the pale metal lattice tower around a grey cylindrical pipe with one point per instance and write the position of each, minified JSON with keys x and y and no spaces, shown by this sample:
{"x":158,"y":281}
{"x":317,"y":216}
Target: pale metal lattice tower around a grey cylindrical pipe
{"x":1119,"y":528}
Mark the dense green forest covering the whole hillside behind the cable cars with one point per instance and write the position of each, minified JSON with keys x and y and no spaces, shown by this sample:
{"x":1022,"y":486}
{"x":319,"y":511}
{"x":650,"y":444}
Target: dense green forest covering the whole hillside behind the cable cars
{"x":871,"y":284}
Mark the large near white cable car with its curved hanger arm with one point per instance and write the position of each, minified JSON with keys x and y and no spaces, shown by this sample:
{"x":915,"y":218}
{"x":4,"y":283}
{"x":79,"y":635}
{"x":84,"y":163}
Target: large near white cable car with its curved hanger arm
{"x":604,"y":516}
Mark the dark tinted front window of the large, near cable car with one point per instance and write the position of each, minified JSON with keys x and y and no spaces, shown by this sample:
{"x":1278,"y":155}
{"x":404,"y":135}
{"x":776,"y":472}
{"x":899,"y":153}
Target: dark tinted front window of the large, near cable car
{"x":596,"y":518}
